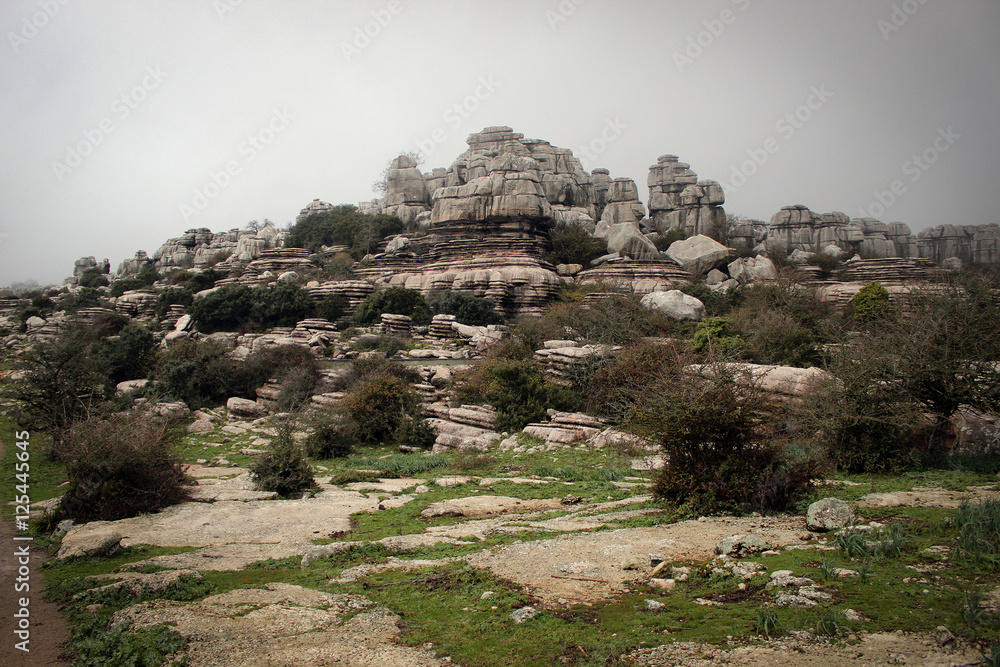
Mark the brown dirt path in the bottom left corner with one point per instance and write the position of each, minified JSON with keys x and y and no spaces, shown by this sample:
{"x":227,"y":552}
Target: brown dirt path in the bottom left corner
{"x":48,"y":628}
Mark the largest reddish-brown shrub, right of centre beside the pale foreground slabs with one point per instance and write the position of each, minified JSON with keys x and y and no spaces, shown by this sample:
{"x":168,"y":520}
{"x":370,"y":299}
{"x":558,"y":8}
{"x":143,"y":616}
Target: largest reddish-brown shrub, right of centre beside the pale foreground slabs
{"x":719,"y":457}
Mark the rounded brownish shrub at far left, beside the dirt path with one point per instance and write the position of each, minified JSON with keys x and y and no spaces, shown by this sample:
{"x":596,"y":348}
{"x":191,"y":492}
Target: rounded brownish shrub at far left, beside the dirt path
{"x":118,"y":468}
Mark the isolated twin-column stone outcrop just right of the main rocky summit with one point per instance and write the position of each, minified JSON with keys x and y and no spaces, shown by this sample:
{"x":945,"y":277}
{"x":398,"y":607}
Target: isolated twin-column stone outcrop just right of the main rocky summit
{"x":678,"y":200}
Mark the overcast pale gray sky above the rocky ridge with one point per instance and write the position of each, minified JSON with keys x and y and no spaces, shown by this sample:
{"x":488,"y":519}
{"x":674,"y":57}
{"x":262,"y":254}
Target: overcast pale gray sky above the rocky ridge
{"x":126,"y":122}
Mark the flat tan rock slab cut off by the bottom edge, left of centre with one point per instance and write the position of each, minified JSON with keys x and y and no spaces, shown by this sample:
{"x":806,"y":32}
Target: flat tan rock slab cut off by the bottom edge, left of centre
{"x":282,"y":624}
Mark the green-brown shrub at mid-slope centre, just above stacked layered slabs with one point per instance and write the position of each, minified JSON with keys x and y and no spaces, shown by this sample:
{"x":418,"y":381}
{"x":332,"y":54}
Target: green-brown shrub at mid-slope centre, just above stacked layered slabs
{"x":516,"y":388}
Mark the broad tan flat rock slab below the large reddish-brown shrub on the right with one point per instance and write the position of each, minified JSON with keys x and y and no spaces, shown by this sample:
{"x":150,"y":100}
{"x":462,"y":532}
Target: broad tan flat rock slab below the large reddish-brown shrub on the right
{"x":588,"y":567}
